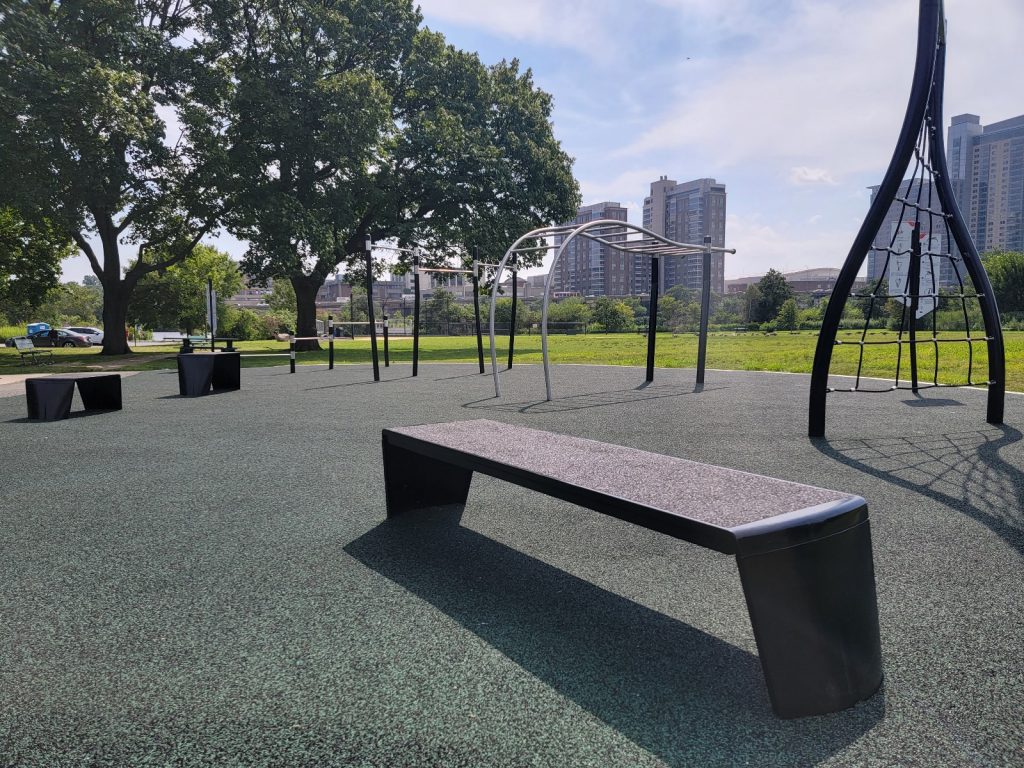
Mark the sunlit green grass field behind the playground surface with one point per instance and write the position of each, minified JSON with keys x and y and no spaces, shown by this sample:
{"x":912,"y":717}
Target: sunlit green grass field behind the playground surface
{"x":753,"y":352}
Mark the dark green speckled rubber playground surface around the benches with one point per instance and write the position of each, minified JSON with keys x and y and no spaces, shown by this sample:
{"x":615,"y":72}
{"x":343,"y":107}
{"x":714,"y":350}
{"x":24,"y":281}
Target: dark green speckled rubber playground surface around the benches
{"x":212,"y":581}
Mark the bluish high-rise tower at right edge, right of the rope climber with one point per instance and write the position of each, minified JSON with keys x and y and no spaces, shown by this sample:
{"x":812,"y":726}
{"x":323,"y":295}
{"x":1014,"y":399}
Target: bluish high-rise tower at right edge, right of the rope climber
{"x":987,"y":168}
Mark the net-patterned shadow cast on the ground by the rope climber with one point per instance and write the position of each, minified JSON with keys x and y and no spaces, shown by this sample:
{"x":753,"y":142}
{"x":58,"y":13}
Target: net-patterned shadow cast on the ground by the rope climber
{"x":963,"y":471}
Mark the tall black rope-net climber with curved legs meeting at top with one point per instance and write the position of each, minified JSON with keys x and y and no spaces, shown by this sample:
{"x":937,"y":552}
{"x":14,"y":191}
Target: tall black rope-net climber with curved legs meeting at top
{"x":917,"y":249}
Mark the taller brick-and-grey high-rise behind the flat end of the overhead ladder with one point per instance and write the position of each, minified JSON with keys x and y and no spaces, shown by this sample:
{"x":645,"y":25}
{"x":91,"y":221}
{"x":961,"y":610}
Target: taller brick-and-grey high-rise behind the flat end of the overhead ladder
{"x":685,"y":212}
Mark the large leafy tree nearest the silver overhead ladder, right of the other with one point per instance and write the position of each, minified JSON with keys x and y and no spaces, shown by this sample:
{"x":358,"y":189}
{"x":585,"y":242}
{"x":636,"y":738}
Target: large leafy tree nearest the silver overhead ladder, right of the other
{"x":352,"y":124}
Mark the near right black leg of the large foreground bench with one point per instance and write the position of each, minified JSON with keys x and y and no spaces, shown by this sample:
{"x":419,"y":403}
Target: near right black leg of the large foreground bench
{"x":816,"y":620}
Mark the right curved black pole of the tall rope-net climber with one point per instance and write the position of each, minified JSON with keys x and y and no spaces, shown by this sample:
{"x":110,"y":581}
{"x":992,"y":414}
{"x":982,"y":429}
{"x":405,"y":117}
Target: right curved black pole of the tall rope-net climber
{"x":972,"y":261}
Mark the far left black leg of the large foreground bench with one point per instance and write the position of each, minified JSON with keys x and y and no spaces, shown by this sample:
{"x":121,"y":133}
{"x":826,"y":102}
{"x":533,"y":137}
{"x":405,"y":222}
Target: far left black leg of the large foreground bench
{"x":414,"y":482}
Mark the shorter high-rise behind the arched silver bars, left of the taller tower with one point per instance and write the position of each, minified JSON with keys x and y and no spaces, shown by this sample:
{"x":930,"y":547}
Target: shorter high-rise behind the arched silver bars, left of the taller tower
{"x":590,"y":269}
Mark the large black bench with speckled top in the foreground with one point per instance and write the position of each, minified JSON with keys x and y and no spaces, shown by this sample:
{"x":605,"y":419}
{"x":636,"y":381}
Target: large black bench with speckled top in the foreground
{"x":804,"y":553}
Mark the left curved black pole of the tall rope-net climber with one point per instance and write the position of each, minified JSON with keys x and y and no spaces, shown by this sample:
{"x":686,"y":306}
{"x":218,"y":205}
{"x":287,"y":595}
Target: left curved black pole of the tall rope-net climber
{"x":928,"y":35}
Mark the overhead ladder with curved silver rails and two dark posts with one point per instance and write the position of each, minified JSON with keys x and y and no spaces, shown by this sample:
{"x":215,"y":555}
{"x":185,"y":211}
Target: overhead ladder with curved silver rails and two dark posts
{"x":603,"y":231}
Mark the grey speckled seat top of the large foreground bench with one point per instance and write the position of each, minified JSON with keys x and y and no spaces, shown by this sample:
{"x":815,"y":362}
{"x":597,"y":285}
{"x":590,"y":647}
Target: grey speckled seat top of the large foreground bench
{"x":714,"y":496}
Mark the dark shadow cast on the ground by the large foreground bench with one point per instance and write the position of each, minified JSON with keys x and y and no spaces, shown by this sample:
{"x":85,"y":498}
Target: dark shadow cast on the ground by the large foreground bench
{"x":674,"y":691}
